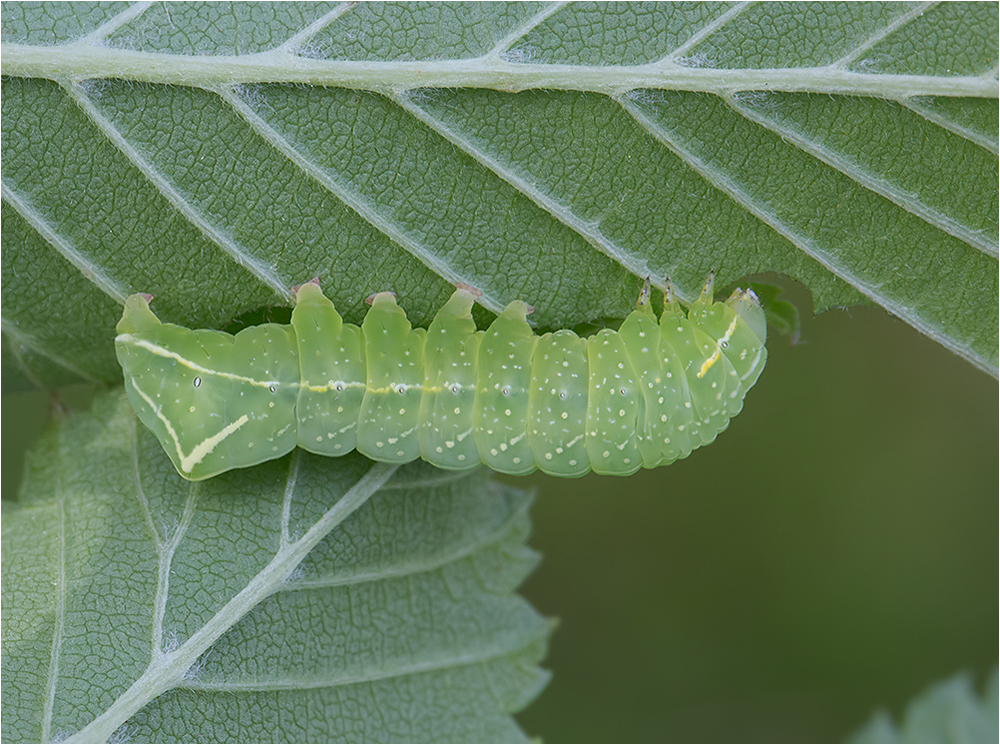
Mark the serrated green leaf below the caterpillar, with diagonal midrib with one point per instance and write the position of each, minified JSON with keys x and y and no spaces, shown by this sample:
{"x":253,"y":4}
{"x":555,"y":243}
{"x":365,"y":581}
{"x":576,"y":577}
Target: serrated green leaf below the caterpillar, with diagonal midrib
{"x":309,"y":599}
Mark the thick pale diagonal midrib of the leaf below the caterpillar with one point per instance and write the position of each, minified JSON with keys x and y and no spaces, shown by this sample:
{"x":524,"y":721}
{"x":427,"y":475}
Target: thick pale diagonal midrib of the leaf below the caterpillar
{"x":168,"y":669}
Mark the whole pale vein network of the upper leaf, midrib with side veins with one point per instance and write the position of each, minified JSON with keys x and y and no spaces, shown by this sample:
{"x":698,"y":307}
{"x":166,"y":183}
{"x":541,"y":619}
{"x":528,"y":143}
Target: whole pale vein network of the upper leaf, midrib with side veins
{"x":87,"y":57}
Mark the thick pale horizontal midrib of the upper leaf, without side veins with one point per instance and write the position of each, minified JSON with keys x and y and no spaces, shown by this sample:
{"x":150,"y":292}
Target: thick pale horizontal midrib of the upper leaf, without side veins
{"x":80,"y":61}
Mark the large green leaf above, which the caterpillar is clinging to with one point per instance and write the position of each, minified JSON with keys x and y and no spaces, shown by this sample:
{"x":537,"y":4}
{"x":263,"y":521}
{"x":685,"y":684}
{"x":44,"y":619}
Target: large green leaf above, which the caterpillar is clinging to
{"x":216,"y":154}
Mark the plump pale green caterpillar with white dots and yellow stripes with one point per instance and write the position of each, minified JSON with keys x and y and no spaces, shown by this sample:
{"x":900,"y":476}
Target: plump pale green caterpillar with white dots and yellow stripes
{"x":642,"y":396}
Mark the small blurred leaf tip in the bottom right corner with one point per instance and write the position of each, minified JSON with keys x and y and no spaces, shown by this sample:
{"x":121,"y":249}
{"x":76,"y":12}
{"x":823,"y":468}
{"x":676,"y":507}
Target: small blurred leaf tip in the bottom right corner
{"x":949,"y":711}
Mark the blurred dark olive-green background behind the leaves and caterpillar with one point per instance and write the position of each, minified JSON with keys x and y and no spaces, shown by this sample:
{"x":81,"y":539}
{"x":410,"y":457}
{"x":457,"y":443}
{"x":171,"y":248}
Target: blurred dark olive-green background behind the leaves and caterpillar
{"x":833,"y":551}
